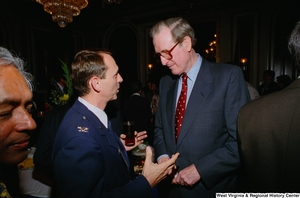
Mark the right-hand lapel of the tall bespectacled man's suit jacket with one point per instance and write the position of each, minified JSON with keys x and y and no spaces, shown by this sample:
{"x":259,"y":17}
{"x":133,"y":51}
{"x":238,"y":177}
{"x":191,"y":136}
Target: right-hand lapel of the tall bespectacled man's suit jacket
{"x":201,"y":89}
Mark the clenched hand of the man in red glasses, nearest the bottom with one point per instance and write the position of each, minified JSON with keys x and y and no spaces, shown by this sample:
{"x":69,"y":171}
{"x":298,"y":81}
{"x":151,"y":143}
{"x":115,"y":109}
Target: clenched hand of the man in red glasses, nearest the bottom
{"x":187,"y":177}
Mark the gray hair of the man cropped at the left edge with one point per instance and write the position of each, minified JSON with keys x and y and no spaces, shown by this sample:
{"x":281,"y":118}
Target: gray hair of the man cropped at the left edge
{"x":8,"y":58}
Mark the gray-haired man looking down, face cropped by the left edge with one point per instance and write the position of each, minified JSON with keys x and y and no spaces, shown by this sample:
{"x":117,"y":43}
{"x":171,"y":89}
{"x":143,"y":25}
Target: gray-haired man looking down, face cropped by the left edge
{"x":15,"y":114}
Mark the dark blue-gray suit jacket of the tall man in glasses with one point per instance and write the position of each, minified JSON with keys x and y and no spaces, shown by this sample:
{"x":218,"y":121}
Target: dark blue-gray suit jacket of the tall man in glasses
{"x":208,"y":134}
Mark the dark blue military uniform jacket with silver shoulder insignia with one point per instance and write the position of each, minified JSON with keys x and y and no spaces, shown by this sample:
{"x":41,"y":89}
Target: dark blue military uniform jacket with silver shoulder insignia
{"x":89,"y":160}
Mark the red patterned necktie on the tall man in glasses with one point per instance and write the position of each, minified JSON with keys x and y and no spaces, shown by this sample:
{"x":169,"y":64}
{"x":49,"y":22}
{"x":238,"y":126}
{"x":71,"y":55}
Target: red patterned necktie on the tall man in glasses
{"x":180,"y":109}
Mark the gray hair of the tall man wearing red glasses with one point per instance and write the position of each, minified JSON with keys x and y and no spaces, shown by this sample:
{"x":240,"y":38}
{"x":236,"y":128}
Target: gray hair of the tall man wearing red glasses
{"x":179,"y":29}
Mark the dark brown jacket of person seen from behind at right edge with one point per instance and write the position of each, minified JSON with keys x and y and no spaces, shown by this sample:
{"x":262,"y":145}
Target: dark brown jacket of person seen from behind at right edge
{"x":269,"y":136}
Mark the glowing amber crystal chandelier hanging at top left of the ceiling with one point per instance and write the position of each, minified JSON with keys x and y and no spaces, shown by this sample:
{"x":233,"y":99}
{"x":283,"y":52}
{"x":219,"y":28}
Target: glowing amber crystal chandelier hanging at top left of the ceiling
{"x":62,"y":11}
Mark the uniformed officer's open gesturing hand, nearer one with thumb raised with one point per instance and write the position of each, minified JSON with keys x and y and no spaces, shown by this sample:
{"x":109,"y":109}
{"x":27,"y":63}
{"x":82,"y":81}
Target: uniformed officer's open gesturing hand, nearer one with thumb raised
{"x":154,"y":173}
